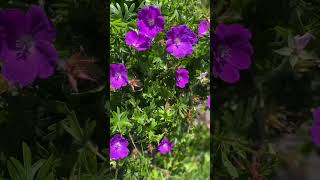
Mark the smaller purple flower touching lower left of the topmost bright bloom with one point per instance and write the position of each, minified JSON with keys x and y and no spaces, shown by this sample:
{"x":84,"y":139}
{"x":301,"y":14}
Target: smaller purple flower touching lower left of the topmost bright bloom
{"x":137,"y":41}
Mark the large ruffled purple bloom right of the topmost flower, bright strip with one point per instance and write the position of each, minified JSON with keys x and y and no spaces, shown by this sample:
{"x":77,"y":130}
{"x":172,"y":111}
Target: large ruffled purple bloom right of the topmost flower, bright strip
{"x":180,"y":41}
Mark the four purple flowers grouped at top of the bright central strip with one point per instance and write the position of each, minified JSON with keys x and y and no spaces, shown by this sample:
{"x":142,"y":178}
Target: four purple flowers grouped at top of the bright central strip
{"x":180,"y":39}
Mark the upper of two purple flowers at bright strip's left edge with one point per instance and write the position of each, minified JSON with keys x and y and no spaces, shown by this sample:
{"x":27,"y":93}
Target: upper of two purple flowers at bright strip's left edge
{"x":118,"y":76}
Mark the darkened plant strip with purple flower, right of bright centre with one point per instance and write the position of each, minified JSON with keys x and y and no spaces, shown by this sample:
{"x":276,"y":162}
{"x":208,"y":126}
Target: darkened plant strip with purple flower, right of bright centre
{"x":266,"y":90}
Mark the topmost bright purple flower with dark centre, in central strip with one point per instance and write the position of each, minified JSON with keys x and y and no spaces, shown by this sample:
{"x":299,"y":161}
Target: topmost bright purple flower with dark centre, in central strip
{"x":150,"y":21}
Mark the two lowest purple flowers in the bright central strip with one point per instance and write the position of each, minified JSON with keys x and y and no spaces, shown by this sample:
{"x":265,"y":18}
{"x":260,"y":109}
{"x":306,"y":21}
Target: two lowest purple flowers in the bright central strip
{"x":119,"y":147}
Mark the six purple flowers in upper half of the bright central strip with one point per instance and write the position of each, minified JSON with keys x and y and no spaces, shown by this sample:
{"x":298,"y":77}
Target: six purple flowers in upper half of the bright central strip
{"x":180,"y":42}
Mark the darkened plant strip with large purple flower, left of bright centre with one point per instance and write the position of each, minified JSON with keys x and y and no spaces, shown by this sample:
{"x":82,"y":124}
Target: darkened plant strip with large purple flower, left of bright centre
{"x":53,"y":90}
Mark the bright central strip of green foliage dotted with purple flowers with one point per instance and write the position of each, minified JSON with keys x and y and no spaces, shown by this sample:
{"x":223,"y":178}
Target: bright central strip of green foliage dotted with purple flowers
{"x":159,"y":88}
